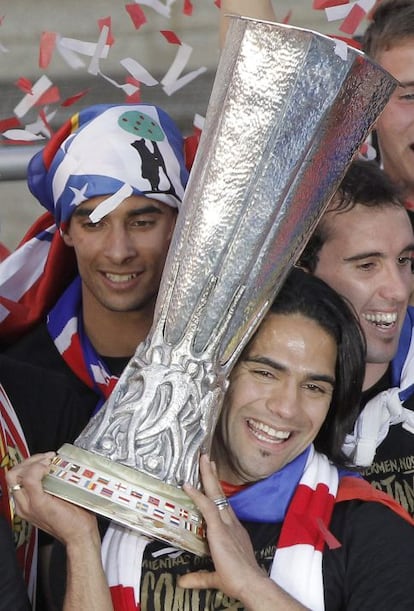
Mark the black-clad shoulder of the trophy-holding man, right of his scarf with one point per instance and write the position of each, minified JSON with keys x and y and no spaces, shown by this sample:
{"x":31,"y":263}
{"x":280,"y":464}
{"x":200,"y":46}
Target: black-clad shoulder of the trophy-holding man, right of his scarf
{"x":372,"y":567}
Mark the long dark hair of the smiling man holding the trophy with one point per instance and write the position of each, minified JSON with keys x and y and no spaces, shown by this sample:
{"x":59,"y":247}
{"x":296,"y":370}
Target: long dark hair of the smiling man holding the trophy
{"x":311,"y":297}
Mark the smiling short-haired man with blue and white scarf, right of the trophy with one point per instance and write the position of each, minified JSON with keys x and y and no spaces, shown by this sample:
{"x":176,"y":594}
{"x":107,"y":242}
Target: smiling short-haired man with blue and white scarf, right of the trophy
{"x":363,"y":248}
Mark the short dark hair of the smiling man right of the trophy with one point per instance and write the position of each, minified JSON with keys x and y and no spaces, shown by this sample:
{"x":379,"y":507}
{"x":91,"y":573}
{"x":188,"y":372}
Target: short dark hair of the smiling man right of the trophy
{"x":365,"y":184}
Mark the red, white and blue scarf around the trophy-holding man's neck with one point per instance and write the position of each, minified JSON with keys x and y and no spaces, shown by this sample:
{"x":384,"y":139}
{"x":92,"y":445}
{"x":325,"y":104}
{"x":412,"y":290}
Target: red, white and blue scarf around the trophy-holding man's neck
{"x":302,"y":495}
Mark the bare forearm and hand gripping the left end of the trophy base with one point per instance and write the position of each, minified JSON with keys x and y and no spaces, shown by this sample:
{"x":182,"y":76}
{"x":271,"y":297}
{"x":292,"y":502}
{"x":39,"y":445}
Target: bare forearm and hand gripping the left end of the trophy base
{"x":76,"y":528}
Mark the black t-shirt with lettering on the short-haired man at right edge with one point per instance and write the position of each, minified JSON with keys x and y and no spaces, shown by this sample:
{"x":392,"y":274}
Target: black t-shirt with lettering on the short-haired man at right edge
{"x":393,"y":468}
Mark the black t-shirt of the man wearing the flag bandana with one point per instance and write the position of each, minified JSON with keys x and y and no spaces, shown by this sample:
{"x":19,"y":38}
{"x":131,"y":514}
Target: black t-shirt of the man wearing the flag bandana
{"x":53,"y":404}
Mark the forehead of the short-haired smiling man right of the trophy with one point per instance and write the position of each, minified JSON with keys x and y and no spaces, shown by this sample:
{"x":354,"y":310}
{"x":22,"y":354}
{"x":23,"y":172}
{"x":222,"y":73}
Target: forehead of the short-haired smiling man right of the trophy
{"x":381,"y":228}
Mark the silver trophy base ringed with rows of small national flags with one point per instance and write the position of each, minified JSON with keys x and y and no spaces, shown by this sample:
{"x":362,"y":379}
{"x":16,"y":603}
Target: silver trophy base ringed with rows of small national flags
{"x":128,"y":497}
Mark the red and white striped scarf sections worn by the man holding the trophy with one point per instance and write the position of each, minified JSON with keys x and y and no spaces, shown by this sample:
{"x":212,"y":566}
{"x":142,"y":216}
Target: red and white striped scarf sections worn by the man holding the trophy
{"x":303,"y":537}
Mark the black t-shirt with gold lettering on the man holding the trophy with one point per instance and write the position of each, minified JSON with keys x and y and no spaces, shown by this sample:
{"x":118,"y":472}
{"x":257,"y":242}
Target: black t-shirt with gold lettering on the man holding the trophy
{"x":372,"y":570}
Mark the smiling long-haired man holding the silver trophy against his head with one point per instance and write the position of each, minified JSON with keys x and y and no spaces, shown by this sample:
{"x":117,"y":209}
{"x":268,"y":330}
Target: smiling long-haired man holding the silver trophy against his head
{"x":289,"y":527}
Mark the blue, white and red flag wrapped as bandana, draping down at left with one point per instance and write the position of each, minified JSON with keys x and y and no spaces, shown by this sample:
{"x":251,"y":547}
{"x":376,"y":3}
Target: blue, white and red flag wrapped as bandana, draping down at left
{"x":141,"y":152}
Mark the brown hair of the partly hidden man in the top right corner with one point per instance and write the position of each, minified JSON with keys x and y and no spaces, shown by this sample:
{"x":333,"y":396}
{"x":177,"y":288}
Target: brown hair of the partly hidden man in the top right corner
{"x":392,"y":21}
